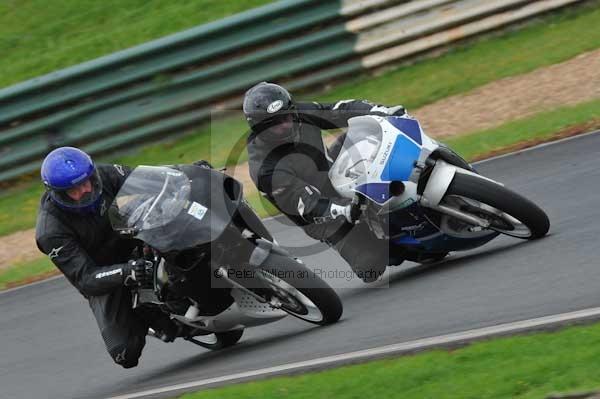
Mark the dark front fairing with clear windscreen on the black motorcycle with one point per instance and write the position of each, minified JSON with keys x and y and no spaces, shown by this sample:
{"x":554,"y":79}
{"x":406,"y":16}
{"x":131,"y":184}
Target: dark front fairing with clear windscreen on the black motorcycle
{"x":207,"y":208}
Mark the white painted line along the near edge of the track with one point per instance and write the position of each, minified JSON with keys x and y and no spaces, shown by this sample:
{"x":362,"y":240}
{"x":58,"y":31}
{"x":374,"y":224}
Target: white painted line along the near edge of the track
{"x":395,"y":349}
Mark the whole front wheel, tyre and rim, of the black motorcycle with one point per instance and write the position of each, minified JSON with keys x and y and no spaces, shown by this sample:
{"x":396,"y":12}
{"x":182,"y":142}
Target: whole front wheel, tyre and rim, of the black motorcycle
{"x":294,"y":288}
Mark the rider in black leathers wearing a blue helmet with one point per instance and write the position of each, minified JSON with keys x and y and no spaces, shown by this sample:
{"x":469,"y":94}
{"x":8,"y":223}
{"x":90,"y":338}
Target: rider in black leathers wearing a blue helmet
{"x":74,"y":230}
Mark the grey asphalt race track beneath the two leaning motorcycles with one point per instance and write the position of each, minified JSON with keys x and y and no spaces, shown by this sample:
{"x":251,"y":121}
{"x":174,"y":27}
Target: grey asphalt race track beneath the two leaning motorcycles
{"x":51,"y":347}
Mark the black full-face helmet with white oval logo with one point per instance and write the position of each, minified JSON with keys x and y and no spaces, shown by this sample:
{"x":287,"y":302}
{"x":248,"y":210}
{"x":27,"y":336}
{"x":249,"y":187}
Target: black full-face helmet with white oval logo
{"x":270,"y":112}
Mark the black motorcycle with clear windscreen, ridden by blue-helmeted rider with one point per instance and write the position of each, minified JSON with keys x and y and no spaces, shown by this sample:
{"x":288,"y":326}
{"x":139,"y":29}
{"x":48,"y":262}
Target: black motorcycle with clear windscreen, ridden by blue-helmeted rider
{"x":217,"y":270}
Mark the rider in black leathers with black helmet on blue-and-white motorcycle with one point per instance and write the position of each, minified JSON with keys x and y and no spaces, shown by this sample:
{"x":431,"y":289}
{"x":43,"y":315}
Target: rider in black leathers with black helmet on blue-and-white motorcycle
{"x":289,"y":164}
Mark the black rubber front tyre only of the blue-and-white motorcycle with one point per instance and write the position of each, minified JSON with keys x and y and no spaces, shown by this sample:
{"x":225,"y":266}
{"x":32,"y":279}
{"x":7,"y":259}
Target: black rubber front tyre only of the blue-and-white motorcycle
{"x":502,"y":199}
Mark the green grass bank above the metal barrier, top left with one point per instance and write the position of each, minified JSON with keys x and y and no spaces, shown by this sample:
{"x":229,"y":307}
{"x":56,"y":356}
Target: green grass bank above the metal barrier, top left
{"x":38,"y":37}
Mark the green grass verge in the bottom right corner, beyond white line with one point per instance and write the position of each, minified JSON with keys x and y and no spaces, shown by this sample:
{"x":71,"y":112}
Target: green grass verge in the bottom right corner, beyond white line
{"x":523,"y":367}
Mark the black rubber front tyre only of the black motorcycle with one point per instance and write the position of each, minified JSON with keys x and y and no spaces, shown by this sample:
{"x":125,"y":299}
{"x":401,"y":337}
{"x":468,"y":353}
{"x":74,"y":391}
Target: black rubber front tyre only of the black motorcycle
{"x":299,"y":277}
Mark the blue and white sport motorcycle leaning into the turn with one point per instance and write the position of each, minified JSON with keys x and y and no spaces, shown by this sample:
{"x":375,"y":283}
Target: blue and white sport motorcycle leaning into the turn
{"x":422,"y":196}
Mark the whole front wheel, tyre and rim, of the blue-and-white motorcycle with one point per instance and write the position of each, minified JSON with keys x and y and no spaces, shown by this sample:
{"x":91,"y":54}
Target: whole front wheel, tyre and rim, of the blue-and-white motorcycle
{"x":508,"y":212}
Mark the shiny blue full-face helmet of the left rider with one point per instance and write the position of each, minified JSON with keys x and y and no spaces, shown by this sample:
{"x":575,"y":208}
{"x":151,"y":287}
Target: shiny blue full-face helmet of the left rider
{"x":71,"y":179}
